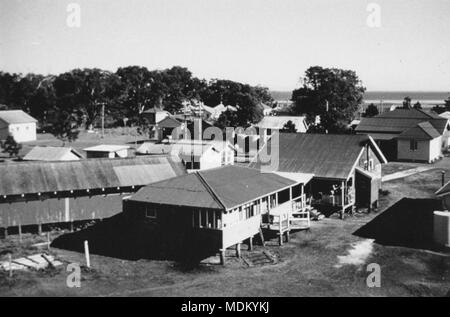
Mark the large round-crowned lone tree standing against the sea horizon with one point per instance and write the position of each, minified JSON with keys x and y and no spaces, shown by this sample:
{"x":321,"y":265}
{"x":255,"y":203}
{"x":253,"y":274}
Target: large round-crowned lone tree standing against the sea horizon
{"x":334,"y":91}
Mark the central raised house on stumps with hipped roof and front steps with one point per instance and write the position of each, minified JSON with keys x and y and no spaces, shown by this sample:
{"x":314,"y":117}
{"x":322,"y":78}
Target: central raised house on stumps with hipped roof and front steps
{"x":215,"y":209}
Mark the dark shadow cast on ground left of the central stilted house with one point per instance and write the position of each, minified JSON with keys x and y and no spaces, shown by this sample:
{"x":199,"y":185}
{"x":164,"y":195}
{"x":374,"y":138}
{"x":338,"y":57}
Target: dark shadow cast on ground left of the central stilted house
{"x":120,"y":237}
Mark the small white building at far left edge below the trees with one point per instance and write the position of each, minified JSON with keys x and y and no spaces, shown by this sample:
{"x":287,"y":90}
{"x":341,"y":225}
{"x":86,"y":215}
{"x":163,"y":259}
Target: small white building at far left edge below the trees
{"x":18,"y":124}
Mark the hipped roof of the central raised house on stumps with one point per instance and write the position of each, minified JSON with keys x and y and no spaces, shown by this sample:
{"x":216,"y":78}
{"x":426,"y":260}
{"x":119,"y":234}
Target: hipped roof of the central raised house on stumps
{"x":220,"y":188}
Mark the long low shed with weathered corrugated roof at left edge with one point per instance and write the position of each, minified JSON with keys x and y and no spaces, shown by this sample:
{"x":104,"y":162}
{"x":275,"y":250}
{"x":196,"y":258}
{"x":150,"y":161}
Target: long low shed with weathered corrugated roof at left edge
{"x":45,"y":192}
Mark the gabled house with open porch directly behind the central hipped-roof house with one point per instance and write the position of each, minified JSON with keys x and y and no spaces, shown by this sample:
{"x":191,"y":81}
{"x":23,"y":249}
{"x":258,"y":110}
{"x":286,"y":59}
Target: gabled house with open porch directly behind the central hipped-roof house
{"x":346,"y":168}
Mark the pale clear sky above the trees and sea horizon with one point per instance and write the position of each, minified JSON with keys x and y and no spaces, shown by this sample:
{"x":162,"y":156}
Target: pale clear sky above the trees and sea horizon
{"x":259,"y":42}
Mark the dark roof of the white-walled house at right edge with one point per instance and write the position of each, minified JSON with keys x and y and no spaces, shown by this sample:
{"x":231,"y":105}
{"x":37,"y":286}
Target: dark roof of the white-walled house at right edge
{"x":399,"y":120}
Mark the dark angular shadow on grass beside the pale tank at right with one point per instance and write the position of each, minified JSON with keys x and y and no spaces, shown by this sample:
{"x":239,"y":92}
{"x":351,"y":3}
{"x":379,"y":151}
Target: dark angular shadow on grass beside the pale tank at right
{"x":408,"y":223}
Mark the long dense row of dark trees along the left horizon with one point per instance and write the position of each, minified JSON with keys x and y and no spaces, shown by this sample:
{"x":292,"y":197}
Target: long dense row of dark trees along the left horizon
{"x":65,"y":103}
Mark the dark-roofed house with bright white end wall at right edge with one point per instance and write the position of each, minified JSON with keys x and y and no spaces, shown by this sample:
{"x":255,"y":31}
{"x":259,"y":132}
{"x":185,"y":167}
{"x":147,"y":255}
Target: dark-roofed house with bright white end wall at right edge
{"x":408,"y":134}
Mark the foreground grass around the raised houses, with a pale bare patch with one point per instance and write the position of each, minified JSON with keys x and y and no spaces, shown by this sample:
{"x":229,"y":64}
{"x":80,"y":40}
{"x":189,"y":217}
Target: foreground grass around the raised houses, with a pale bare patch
{"x":319,"y":262}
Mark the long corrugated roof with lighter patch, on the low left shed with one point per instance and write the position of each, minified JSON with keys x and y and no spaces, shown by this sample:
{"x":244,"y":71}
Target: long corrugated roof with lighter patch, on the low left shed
{"x":41,"y":177}
